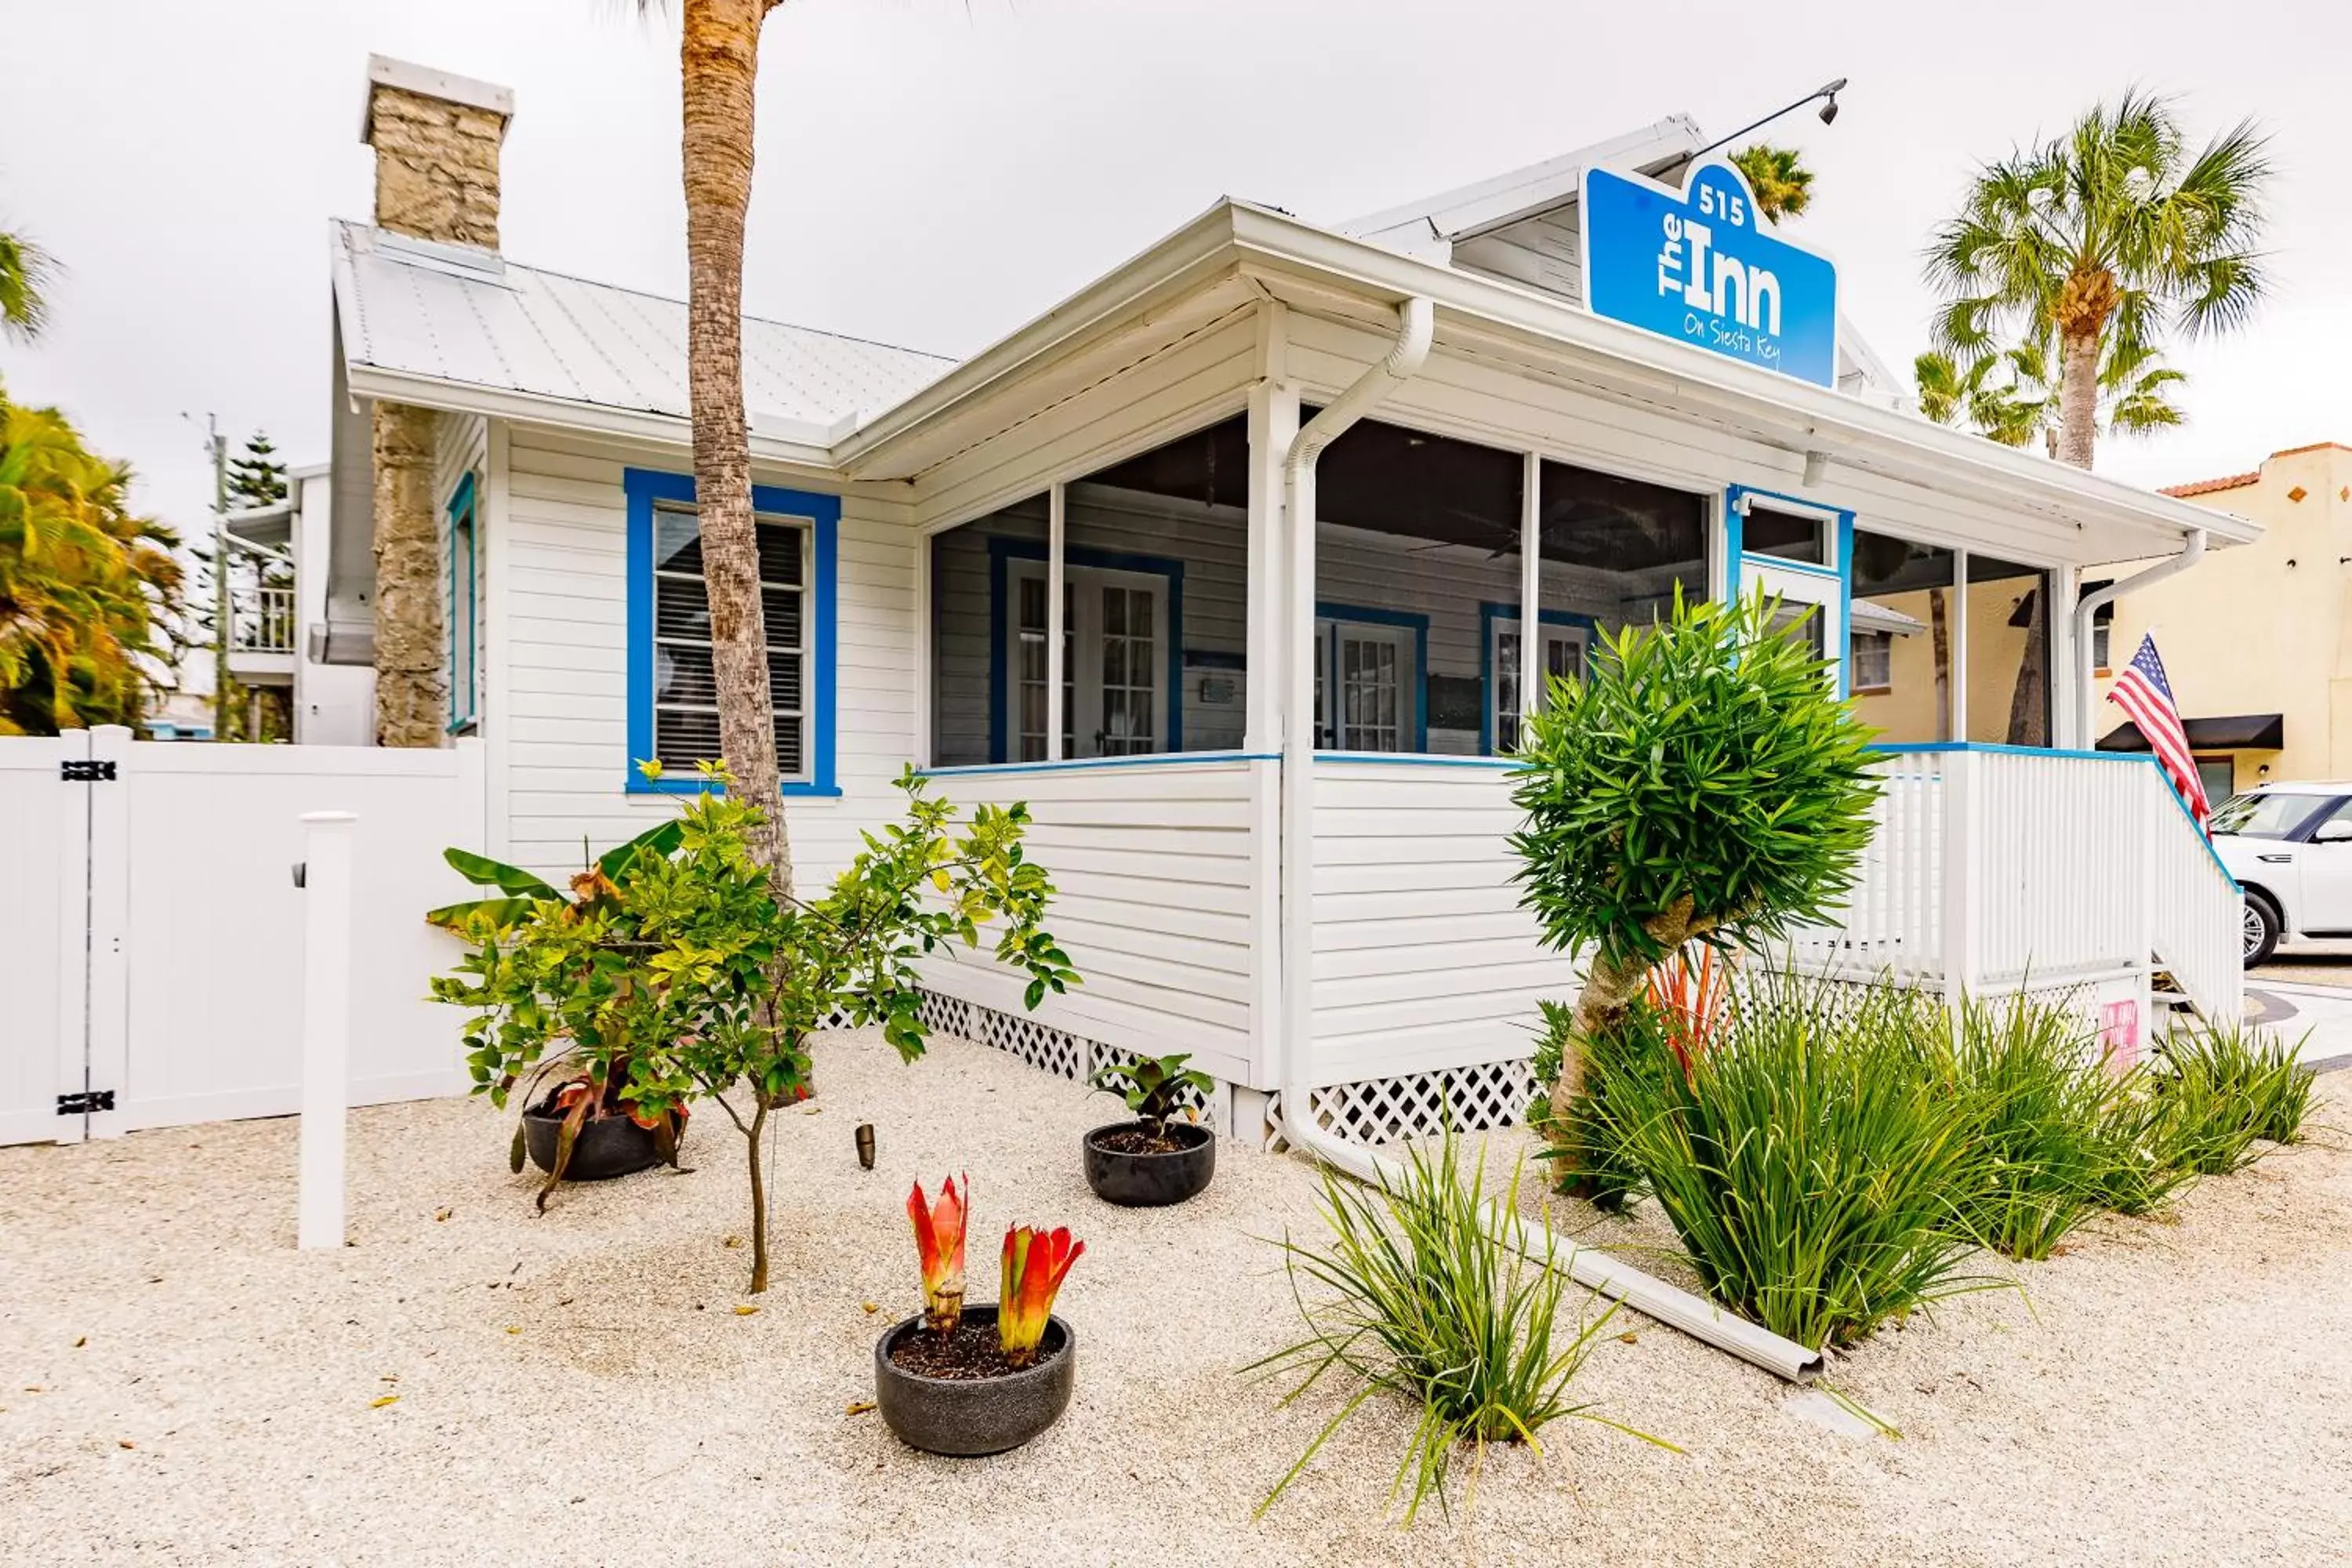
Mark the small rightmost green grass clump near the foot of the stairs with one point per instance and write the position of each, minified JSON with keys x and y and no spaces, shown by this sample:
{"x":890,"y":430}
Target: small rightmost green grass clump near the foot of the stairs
{"x":2221,"y":1090}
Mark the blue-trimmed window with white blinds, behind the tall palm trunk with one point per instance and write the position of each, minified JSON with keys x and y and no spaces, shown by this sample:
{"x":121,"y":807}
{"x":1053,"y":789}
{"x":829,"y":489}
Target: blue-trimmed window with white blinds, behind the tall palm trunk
{"x":671,"y":683}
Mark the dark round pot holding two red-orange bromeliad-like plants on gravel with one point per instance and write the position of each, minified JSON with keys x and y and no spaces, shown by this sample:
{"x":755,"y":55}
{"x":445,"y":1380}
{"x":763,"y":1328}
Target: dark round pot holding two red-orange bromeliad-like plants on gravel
{"x":970,"y":1381}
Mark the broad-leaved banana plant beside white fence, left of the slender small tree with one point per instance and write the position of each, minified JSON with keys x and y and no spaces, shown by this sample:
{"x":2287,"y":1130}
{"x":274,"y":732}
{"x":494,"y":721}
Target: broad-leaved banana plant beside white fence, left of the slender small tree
{"x":559,"y":965}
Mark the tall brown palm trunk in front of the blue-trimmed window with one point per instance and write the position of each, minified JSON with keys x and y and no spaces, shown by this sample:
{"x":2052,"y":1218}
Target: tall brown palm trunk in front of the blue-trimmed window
{"x":721,"y":60}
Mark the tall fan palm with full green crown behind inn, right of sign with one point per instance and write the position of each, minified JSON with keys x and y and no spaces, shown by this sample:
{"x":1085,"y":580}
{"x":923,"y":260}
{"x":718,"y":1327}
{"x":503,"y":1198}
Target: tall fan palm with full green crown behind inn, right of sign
{"x":2097,"y":243}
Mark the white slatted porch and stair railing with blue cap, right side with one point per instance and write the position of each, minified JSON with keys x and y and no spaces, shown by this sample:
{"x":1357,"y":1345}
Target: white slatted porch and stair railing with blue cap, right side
{"x":1998,"y":869}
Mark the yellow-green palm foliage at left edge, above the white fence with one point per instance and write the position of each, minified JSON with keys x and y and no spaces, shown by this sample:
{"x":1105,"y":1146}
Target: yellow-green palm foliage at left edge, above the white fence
{"x":86,"y":587}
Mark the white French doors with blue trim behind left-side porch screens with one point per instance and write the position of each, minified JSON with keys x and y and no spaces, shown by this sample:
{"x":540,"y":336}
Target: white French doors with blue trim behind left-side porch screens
{"x":1116,"y":629}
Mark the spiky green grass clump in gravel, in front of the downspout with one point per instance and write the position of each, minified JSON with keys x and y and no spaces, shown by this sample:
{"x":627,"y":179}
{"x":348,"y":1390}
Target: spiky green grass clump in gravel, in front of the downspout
{"x":1417,"y":1294}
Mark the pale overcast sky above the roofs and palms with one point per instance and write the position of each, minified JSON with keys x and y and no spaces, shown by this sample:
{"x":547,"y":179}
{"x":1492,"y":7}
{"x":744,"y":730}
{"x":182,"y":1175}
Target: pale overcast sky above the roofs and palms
{"x":937,"y":173}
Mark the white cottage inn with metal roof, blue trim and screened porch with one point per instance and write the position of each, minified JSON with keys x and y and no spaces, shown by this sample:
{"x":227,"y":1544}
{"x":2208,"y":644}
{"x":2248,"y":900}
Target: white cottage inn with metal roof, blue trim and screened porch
{"x":1227,"y":568}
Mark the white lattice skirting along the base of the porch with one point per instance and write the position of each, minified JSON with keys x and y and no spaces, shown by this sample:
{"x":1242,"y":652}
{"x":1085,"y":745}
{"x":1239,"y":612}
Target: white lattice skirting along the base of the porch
{"x":1372,"y":1111}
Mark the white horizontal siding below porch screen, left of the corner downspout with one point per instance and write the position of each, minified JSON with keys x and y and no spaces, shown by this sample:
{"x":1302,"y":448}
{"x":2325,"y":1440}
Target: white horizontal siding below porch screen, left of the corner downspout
{"x":1156,"y":873}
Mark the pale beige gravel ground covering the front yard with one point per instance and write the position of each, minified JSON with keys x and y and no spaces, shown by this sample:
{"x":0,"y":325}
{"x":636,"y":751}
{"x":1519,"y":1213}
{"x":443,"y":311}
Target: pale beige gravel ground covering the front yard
{"x":580,"y":1388}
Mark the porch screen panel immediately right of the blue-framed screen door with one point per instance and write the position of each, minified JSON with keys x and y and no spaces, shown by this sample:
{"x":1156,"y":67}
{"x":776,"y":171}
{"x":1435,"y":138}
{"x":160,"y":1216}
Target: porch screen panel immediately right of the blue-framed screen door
{"x":1902,"y":638}
